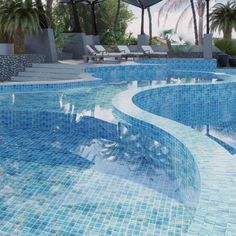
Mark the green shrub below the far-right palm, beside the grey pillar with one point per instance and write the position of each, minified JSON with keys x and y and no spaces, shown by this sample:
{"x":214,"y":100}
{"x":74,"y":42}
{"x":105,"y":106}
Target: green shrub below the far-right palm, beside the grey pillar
{"x":226,"y":46}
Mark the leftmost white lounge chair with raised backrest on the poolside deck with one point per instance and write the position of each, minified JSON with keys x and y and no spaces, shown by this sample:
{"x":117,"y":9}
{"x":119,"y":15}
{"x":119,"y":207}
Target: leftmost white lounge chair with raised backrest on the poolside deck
{"x":99,"y":56}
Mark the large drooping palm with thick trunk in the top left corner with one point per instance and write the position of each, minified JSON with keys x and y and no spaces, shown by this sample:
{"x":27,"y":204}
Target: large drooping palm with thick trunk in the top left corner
{"x":18,"y":18}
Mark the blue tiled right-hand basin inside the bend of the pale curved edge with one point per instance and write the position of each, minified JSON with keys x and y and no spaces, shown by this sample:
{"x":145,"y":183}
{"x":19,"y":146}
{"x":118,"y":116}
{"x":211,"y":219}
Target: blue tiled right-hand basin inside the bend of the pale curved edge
{"x":210,"y":110}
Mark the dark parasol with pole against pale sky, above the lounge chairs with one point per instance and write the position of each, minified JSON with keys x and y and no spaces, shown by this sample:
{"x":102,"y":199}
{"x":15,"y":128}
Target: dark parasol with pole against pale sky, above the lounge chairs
{"x":143,"y":4}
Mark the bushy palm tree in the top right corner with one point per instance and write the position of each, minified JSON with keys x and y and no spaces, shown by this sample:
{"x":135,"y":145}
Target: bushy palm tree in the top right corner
{"x":223,"y":18}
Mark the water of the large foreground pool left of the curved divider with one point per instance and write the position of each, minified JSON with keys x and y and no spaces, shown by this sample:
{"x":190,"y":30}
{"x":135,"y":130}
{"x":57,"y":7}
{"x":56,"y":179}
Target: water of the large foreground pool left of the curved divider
{"x":55,"y":181}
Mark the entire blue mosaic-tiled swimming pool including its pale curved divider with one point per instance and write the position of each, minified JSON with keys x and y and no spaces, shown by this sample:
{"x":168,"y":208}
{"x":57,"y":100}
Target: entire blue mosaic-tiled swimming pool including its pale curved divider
{"x":121,"y":153}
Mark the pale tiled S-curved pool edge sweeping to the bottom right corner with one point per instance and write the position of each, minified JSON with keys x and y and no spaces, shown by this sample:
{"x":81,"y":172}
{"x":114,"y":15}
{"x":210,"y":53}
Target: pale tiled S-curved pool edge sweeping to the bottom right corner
{"x":215,"y":213}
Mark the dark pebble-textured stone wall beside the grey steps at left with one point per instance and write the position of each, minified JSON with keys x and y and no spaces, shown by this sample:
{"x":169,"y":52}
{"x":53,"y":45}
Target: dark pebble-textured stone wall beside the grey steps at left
{"x":11,"y":65}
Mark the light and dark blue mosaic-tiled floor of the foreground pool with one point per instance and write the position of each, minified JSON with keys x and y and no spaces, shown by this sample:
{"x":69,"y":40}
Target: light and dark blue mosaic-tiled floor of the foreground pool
{"x":71,"y":189}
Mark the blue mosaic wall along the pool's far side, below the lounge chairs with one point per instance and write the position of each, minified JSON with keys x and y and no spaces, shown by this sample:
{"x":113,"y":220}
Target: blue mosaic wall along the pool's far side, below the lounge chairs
{"x":161,"y":68}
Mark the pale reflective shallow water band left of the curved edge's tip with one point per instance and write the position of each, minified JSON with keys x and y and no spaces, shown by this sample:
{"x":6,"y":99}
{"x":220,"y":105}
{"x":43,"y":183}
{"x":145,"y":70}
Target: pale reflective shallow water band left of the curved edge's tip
{"x":98,"y":100}
